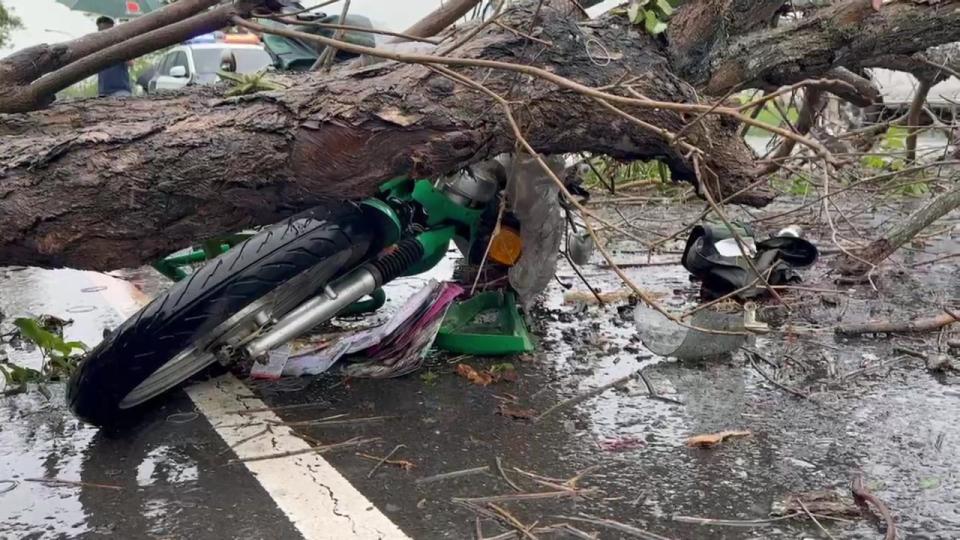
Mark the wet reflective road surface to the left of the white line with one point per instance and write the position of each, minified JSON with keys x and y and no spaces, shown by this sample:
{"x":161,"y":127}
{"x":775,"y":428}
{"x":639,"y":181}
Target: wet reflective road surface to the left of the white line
{"x":171,"y":474}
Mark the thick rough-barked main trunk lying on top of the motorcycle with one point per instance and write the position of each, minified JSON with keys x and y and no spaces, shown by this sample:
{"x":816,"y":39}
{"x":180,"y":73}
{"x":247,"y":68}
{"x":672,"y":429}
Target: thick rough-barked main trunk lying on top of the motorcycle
{"x":109,"y":183}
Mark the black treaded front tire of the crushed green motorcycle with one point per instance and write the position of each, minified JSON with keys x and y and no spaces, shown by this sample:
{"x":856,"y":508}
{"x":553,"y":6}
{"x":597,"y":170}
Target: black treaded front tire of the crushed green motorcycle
{"x":324,"y":241}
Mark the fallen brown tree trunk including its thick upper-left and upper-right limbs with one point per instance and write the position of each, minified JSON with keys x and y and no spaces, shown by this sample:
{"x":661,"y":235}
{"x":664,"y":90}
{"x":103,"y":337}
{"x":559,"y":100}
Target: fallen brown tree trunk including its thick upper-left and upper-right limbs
{"x":108,"y":183}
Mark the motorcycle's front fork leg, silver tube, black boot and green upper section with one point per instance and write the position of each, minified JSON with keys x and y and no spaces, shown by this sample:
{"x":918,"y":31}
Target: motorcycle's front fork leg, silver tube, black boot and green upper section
{"x":407,"y":257}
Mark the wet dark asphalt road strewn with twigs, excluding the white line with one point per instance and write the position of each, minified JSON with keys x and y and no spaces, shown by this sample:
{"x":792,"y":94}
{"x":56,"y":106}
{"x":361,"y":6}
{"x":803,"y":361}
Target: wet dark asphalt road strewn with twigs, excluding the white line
{"x":895,"y":425}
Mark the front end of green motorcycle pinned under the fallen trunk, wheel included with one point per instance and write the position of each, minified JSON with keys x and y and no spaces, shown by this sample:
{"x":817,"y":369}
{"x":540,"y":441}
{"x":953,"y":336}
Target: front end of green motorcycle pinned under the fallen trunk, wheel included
{"x":268,"y":288}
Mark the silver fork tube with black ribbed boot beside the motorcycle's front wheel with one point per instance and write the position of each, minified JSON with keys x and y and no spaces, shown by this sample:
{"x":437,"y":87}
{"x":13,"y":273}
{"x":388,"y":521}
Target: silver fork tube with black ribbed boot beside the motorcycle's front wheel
{"x":338,"y":295}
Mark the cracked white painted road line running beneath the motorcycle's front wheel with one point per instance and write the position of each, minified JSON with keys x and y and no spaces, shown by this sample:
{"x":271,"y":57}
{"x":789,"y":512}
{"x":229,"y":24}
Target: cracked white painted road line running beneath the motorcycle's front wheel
{"x":316,"y":498}
